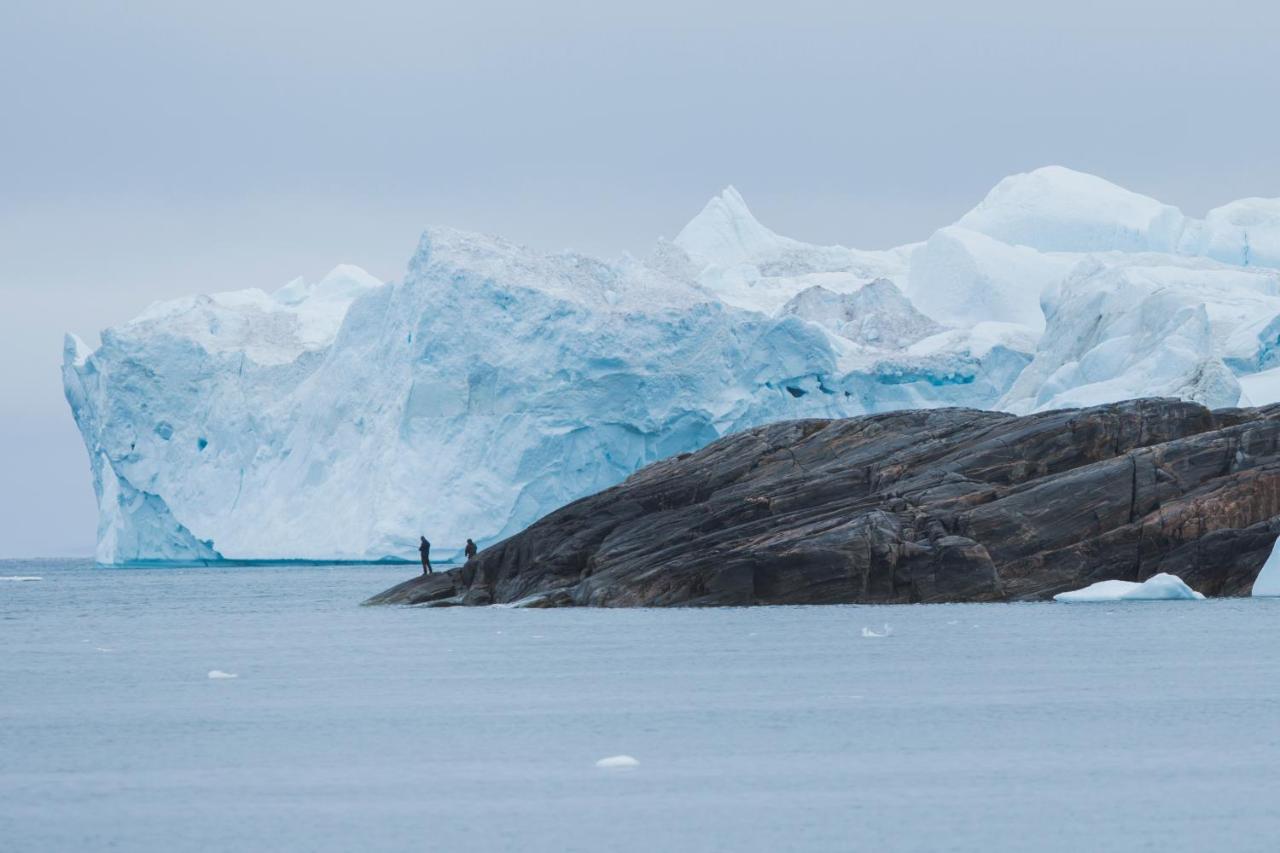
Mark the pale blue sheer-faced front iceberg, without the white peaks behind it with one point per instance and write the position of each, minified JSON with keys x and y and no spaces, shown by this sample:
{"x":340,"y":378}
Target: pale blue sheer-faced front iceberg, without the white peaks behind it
{"x":488,"y":387}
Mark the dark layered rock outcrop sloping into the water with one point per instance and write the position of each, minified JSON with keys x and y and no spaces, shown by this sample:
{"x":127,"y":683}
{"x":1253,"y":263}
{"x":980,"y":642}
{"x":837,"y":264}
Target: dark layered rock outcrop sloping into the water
{"x":912,"y":507}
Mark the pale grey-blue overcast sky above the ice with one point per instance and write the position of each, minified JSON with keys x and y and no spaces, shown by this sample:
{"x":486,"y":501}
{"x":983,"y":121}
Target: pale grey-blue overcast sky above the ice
{"x":159,"y":149}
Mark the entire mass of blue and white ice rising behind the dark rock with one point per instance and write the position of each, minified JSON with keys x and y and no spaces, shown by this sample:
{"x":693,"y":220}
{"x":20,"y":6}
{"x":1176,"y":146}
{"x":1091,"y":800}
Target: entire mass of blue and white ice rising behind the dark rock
{"x":492,"y":384}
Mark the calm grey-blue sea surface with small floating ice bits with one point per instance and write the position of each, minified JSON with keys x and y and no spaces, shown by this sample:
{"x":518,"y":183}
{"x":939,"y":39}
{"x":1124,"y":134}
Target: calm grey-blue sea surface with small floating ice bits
{"x":1136,"y":727}
